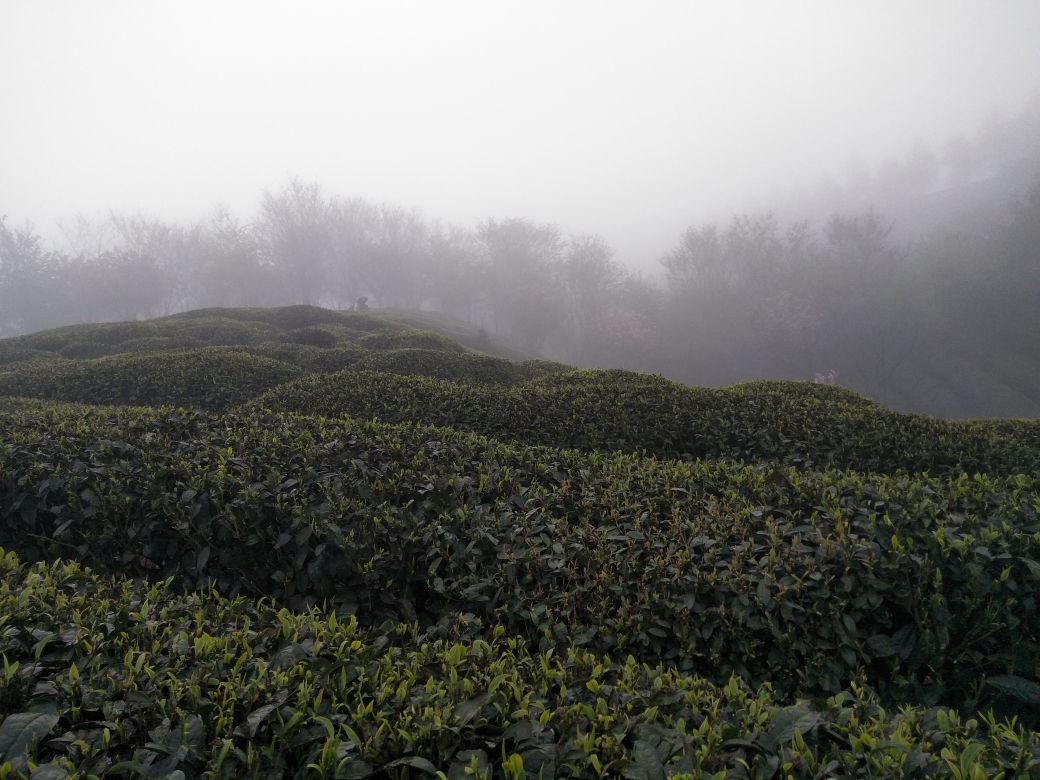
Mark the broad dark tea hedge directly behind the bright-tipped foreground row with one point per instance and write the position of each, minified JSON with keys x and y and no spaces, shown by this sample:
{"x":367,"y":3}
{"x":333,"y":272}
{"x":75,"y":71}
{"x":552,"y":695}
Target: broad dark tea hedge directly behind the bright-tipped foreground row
{"x":921,"y":586}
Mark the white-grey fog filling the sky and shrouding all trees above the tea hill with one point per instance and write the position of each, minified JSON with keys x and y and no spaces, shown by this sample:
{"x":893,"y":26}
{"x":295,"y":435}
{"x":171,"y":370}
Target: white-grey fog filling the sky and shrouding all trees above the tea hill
{"x":606,"y":184}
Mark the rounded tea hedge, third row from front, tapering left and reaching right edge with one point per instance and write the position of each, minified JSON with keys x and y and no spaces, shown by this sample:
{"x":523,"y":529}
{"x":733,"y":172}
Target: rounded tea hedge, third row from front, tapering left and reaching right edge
{"x":792,"y":423}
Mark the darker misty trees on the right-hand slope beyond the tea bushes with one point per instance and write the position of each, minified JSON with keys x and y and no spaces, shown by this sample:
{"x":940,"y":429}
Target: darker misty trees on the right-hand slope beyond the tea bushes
{"x":947,"y":324}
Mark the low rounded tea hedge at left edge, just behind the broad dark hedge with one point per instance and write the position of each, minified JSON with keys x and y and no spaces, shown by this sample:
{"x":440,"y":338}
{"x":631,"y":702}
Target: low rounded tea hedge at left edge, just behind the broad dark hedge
{"x":215,"y":378}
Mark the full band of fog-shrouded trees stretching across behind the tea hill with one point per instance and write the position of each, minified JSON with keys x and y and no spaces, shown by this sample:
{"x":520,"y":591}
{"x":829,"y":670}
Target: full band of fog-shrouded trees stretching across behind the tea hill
{"x":916,"y":287}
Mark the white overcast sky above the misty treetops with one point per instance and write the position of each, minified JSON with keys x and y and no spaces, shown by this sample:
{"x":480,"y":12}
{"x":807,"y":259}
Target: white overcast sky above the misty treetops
{"x":629,"y":120}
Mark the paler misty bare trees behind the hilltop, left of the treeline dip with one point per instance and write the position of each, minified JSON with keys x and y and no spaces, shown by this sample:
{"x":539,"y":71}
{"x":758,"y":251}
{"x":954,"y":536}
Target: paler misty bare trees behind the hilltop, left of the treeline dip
{"x":522,"y":279}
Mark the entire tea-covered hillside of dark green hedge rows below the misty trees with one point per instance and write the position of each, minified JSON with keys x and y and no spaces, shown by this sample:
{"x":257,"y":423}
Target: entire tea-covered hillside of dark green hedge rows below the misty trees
{"x":300,"y":543}
